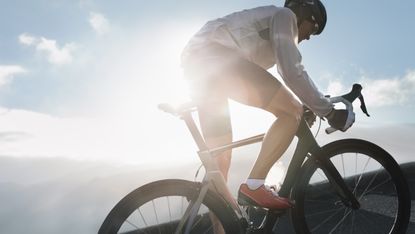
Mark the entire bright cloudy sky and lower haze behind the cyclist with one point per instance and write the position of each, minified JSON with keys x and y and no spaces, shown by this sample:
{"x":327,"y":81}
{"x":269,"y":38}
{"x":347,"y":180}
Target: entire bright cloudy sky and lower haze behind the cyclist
{"x":80,"y":81}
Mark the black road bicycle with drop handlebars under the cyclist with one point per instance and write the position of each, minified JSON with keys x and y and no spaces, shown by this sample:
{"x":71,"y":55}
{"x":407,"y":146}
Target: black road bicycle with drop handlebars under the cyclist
{"x":372,"y":195}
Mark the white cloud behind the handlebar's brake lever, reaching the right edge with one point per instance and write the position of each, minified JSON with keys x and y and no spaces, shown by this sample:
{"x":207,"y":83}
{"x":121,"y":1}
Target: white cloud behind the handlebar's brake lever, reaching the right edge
{"x":381,"y":92}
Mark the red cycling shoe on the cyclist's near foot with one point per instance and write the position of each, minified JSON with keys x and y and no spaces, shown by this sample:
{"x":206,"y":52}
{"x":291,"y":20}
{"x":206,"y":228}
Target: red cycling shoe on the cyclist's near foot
{"x":263,"y":196}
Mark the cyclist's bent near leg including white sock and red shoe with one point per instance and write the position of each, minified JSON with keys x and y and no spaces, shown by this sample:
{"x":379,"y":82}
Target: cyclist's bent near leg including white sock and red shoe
{"x":254,"y":86}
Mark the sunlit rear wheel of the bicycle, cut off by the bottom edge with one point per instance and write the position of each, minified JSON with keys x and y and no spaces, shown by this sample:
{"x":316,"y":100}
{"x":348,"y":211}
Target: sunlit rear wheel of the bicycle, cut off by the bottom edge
{"x":159,"y":206}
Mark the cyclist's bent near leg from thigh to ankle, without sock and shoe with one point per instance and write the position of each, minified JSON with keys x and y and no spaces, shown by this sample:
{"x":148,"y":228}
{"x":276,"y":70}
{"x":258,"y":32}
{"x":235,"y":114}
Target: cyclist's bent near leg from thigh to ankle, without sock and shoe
{"x":254,"y":86}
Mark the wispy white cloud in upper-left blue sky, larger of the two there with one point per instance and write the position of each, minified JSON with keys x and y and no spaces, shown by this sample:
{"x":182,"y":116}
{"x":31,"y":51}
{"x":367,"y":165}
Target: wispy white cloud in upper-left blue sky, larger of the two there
{"x":55,"y":55}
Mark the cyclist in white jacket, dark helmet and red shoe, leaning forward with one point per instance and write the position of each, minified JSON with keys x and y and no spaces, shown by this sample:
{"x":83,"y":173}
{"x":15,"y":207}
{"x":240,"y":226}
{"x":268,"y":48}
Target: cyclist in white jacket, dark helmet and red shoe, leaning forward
{"x":229,"y":57}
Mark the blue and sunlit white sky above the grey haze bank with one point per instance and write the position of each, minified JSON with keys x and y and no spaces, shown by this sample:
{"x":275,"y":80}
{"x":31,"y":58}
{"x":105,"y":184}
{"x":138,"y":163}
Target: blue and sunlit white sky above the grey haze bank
{"x":82,"y":79}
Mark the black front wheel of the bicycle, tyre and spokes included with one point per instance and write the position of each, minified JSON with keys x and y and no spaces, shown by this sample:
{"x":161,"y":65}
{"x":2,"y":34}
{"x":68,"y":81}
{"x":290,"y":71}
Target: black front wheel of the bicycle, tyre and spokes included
{"x":371,"y":174}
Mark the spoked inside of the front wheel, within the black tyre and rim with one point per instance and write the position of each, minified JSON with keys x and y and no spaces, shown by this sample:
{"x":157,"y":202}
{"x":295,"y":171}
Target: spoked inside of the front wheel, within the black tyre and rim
{"x":369,"y":182}
